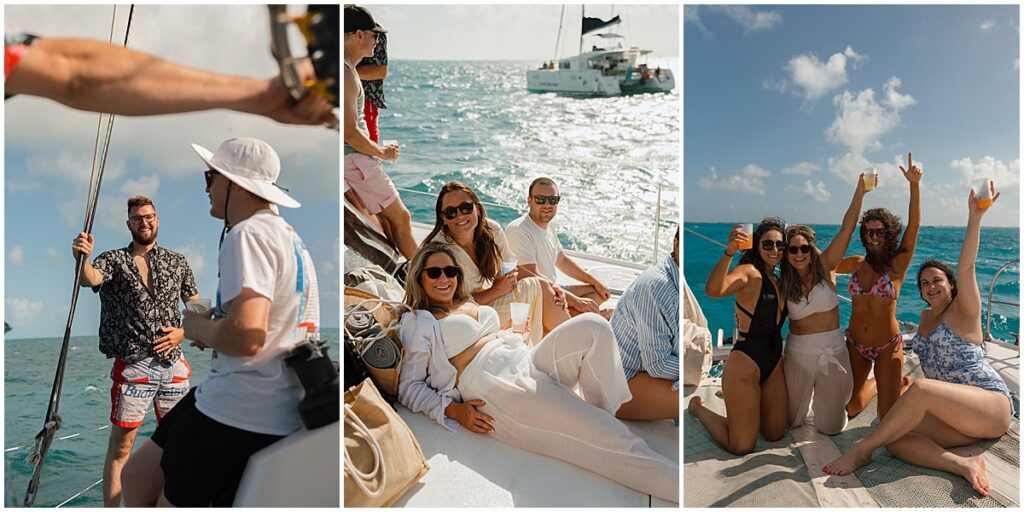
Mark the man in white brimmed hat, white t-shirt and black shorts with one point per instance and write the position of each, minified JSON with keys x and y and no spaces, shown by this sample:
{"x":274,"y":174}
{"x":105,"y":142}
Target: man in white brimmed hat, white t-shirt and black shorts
{"x":267,"y":302}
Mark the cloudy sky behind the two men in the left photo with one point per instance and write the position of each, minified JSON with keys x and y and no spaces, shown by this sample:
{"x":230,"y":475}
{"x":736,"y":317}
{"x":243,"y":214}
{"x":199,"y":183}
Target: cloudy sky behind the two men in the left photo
{"x":49,"y":151}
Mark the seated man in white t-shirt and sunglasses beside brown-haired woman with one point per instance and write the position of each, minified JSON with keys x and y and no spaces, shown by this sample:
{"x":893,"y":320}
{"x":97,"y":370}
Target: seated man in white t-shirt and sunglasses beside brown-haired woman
{"x":535,"y":242}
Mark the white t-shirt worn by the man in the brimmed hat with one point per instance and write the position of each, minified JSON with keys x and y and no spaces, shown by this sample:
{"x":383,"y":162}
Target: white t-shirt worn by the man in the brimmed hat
{"x":260,"y":394}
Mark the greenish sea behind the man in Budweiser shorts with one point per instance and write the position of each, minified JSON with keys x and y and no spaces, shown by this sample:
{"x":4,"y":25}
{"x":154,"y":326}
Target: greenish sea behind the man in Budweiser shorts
{"x":76,"y":463}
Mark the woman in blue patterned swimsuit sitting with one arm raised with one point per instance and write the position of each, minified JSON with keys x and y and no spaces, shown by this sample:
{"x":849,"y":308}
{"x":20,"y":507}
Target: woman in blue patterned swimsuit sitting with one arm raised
{"x":963,"y":400}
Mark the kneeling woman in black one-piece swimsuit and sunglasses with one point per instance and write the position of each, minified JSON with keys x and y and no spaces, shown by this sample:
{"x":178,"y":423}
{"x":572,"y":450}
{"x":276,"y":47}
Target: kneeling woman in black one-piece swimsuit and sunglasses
{"x":753,"y":381}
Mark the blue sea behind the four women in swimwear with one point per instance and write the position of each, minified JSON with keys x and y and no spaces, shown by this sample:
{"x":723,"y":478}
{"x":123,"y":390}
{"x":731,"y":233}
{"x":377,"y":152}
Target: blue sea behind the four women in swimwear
{"x":999,"y":245}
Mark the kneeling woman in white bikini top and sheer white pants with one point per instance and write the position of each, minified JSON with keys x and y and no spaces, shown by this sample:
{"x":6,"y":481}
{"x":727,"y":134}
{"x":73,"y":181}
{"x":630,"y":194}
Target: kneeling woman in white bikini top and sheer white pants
{"x":817,"y":362}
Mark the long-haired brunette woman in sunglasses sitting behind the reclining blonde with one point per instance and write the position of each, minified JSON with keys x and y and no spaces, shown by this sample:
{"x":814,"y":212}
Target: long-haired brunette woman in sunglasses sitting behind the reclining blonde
{"x":480,"y":248}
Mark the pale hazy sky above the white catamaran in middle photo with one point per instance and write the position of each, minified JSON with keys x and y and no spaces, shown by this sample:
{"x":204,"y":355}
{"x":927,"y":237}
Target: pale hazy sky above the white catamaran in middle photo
{"x":517,"y":32}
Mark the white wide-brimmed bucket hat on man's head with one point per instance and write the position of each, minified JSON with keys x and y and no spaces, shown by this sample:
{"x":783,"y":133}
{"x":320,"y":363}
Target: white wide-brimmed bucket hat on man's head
{"x":251,"y":164}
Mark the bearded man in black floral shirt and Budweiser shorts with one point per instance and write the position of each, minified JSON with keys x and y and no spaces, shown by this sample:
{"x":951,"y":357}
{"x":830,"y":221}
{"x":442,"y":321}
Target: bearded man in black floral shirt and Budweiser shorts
{"x":140,"y":288}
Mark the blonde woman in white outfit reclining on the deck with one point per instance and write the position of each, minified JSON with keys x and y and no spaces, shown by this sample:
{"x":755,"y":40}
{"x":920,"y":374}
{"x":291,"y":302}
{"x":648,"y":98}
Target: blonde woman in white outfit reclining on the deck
{"x":462,"y":368}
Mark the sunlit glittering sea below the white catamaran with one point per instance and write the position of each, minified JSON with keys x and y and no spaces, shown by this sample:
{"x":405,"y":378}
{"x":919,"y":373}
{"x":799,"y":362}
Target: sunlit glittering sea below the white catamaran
{"x":476,"y":122}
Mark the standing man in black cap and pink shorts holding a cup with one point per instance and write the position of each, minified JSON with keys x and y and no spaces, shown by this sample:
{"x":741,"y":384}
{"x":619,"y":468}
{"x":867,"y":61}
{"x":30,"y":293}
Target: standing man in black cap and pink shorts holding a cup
{"x":367,"y":186}
